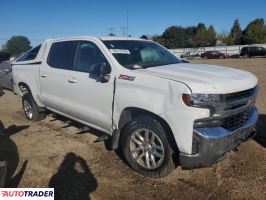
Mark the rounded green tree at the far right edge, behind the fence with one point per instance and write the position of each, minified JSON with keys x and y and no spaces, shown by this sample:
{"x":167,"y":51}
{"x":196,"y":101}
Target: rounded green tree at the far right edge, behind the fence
{"x":255,"y":32}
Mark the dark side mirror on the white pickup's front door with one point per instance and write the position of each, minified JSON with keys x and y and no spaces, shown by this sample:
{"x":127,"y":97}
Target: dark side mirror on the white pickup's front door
{"x":101,"y":71}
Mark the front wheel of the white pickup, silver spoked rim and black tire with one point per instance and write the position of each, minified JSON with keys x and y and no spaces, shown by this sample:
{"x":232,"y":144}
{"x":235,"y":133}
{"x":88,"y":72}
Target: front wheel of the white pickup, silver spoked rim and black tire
{"x":160,"y":166}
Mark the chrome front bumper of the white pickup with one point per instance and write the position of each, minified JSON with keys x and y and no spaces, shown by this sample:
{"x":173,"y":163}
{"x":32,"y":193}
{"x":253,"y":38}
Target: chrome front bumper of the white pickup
{"x":214,"y":142}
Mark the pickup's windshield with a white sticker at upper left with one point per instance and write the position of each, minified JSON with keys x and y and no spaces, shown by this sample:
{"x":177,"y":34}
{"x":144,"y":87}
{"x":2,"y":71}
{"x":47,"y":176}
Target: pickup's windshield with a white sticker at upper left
{"x":134,"y":54}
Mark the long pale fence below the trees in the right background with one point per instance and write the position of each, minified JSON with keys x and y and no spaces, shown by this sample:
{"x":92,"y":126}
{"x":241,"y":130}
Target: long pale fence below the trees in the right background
{"x":231,"y":50}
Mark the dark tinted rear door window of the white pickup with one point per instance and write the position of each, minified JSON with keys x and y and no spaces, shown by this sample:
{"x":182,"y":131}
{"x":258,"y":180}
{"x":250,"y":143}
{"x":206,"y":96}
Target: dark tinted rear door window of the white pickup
{"x":61,"y":55}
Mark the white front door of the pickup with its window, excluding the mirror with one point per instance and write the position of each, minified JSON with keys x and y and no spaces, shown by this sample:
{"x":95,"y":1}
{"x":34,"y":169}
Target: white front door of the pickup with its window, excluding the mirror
{"x":91,"y":100}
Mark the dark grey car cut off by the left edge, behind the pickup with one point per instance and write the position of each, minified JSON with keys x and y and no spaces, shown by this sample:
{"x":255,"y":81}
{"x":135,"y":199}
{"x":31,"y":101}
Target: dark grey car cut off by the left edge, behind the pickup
{"x":6,"y":75}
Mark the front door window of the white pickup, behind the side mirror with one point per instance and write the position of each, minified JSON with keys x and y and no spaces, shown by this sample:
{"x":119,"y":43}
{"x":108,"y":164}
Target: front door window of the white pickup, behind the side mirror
{"x":87,"y":56}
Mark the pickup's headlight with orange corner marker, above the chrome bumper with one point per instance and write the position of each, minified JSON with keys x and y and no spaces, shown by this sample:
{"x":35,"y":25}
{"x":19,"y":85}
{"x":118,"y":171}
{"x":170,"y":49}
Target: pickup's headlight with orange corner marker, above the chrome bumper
{"x":201,"y":99}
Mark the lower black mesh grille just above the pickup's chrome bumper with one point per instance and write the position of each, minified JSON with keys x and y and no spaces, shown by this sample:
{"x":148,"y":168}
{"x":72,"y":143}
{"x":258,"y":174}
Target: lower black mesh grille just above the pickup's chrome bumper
{"x":236,"y":121}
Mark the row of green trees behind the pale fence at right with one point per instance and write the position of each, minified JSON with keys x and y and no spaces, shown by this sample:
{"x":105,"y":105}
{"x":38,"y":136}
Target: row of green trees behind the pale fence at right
{"x":201,"y":36}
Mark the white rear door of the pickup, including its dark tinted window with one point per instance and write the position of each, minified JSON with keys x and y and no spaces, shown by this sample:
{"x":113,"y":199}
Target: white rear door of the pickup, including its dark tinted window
{"x":53,"y":75}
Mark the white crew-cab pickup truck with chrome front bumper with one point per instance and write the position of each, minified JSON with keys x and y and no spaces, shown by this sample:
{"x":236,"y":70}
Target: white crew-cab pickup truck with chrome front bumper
{"x":159,"y":111}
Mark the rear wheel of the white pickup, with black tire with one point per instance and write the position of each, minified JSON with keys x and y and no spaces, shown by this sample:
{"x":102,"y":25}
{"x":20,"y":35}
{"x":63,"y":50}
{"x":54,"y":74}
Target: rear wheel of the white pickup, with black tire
{"x":30,"y":108}
